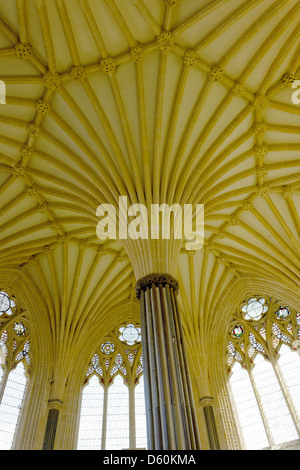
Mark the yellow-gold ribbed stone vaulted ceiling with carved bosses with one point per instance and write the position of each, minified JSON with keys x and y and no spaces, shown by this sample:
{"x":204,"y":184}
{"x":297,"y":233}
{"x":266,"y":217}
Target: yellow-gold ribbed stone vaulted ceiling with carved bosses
{"x":186,"y":101}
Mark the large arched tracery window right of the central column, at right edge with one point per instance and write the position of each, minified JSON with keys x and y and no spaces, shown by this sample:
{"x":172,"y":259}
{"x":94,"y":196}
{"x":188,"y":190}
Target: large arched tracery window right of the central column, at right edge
{"x":264,"y":373}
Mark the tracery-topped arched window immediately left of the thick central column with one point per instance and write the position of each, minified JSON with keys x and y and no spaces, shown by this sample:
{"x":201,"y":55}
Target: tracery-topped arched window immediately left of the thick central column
{"x":114,"y":390}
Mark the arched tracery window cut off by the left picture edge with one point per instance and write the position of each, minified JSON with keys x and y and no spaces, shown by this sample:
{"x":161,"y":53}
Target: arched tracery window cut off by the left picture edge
{"x":15,"y":360}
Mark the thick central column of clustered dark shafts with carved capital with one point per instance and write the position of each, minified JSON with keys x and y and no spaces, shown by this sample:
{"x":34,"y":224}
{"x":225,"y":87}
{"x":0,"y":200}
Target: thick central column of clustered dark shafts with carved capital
{"x":171,"y":419}
